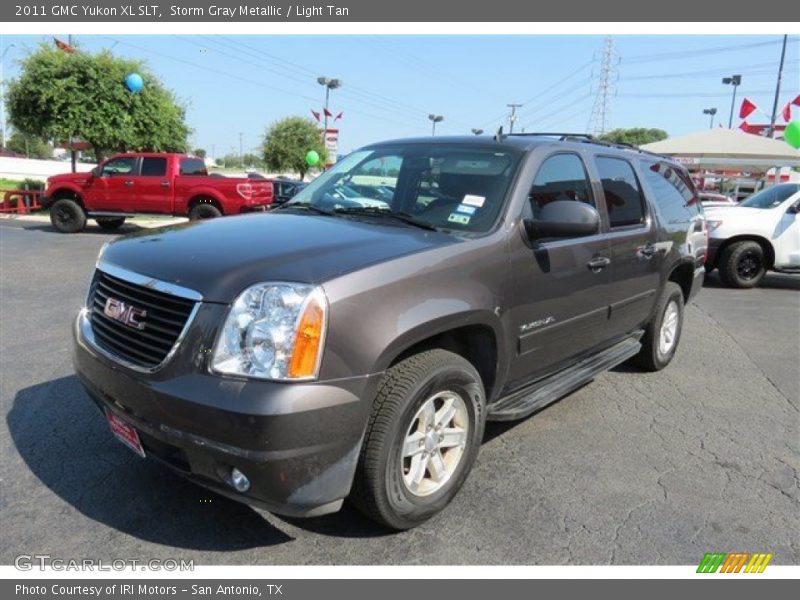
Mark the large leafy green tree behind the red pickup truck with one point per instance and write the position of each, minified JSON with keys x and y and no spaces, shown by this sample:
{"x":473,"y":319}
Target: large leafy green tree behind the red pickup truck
{"x":59,"y":95}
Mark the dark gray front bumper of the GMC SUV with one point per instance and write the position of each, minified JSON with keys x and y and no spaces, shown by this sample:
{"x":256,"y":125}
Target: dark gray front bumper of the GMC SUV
{"x":298,"y":443}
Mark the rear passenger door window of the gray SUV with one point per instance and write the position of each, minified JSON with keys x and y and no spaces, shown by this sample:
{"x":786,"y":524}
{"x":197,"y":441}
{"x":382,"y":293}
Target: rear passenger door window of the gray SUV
{"x":624,"y":202}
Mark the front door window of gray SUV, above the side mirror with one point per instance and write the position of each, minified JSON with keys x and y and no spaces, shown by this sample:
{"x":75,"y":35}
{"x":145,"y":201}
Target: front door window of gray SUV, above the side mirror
{"x":561,"y":177}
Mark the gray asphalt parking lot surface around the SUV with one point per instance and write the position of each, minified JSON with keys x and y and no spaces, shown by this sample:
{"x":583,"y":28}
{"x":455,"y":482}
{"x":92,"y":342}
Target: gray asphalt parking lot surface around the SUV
{"x":633,"y":468}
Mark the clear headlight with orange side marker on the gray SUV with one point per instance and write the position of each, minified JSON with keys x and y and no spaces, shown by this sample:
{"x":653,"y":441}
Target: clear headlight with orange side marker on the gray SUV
{"x":273,"y":331}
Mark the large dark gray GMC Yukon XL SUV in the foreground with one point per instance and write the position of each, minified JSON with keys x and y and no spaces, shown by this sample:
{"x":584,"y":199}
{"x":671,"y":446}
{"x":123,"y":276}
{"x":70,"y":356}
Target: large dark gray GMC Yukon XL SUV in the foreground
{"x":344,"y":346}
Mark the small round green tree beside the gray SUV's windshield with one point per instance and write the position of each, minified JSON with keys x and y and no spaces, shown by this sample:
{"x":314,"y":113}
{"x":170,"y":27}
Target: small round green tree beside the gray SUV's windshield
{"x":288,"y":141}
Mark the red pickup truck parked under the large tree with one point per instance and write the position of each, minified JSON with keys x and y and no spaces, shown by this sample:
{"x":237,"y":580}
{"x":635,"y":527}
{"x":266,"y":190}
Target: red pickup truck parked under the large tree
{"x":151,"y":183}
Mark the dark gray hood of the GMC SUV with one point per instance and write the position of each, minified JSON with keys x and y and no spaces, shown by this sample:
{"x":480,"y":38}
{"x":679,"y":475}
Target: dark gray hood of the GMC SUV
{"x":221,"y":257}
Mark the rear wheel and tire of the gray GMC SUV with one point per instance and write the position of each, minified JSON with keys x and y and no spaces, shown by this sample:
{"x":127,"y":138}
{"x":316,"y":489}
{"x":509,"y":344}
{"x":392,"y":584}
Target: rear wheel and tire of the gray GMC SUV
{"x":661,"y":337}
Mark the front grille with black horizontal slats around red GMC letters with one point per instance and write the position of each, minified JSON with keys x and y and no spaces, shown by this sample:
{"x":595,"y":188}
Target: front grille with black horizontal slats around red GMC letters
{"x":162,"y":318}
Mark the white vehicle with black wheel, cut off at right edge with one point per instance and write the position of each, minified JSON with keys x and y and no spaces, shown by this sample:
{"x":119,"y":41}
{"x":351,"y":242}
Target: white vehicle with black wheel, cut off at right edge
{"x":759,"y":234}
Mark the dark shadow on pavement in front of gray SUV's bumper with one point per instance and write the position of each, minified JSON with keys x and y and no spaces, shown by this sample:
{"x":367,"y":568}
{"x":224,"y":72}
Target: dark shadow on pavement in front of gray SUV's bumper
{"x":62,"y":438}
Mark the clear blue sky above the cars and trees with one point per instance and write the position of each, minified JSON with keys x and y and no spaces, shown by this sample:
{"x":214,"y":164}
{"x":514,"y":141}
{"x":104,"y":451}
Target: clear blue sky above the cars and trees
{"x":236,"y":85}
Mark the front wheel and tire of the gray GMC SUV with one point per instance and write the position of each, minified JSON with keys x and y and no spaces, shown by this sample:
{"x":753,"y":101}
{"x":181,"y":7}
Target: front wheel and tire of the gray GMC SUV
{"x":422,"y":439}
